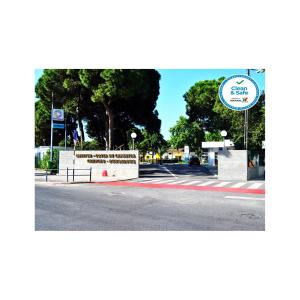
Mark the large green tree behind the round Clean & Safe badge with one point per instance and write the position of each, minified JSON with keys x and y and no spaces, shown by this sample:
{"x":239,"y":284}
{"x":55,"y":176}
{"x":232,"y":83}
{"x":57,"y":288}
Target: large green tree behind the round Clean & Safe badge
{"x":203,"y":105}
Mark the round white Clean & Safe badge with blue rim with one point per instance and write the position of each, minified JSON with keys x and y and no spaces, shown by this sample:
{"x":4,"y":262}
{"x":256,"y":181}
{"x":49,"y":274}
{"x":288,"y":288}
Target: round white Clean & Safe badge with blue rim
{"x":239,"y":92}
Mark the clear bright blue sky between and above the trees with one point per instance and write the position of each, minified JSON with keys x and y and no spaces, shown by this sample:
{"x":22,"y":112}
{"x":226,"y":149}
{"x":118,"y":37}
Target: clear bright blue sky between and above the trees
{"x":174,"y":83}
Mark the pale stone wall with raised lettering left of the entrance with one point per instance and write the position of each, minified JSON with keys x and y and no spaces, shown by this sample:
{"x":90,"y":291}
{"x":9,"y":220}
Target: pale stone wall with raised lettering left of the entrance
{"x":121,"y":164}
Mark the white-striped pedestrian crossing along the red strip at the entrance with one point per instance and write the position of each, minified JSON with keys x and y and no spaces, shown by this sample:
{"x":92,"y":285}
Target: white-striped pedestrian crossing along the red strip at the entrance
{"x":202,"y":183}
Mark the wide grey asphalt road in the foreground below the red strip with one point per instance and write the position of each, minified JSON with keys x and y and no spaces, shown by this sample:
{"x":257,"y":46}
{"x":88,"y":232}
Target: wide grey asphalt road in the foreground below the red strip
{"x":101,"y":207}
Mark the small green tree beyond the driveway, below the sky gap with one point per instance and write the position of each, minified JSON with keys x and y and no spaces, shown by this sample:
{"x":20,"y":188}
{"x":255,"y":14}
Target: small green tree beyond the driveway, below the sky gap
{"x":186,"y":132}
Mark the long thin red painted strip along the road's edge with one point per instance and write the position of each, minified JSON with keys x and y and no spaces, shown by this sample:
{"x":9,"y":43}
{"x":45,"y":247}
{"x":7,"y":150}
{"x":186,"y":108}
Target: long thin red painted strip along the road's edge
{"x":184,"y":187}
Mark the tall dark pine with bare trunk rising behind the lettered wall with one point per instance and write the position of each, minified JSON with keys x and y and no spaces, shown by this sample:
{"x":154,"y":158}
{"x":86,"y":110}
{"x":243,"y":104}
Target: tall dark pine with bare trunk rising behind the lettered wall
{"x":129,"y":94}
